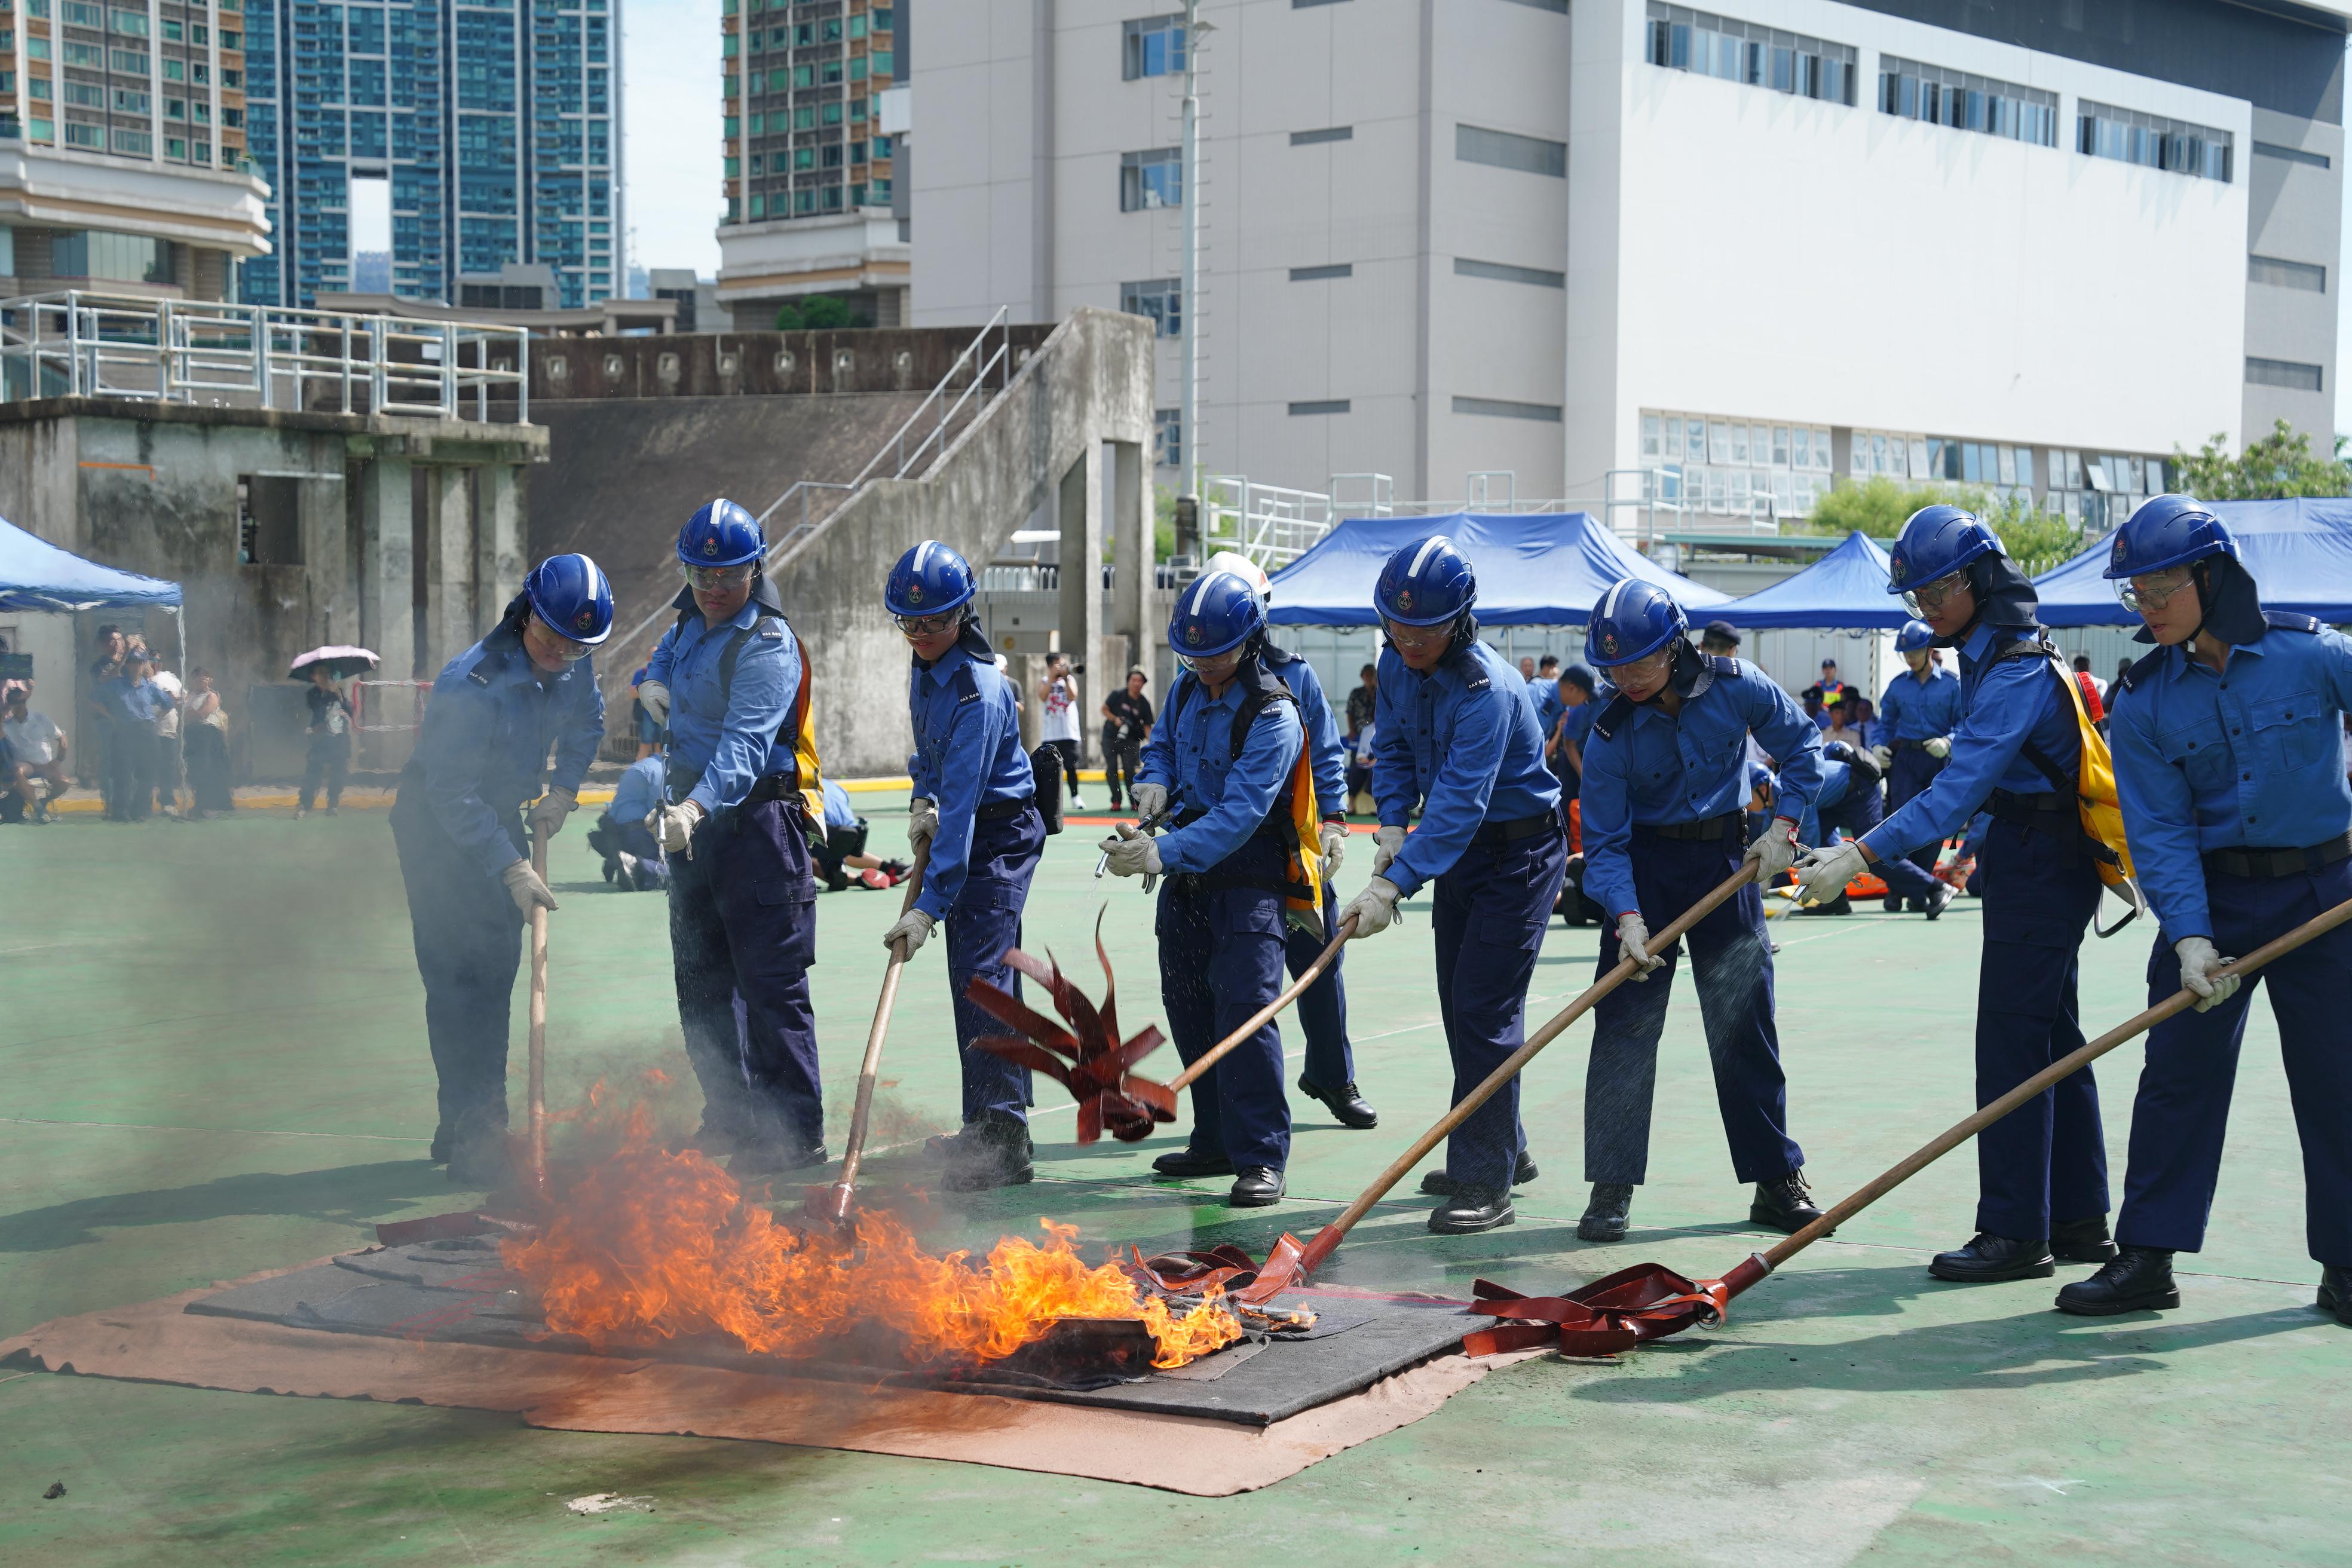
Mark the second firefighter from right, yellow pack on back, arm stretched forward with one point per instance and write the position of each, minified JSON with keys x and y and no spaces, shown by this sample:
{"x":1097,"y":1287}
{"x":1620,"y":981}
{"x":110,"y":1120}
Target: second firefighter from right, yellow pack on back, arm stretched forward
{"x":2043,"y":1170}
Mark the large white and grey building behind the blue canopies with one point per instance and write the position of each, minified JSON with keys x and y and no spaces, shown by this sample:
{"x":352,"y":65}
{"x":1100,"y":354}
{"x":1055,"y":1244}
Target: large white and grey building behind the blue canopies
{"x":2014,"y":243}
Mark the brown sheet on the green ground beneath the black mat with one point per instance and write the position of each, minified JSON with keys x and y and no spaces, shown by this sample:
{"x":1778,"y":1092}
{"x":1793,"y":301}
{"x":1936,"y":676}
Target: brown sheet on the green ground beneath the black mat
{"x":570,"y":1393}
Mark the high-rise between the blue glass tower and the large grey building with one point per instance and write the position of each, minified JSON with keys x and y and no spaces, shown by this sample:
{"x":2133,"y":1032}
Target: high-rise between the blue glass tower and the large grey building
{"x":813,"y":177}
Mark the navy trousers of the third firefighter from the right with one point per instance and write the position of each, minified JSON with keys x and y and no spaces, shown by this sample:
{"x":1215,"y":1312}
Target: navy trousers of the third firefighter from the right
{"x":1732,"y":960}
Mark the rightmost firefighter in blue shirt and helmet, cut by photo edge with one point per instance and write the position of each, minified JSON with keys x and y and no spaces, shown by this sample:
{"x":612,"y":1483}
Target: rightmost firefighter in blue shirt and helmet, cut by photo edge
{"x":2236,"y":805}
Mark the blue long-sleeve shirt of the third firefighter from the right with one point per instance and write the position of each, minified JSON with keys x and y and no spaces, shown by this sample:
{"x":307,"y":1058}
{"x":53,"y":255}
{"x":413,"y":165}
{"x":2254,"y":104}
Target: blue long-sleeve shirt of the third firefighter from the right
{"x":1657,"y":770}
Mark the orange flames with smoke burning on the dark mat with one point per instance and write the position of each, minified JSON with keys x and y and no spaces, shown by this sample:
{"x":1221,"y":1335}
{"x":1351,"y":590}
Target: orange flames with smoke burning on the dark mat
{"x":646,"y":1245}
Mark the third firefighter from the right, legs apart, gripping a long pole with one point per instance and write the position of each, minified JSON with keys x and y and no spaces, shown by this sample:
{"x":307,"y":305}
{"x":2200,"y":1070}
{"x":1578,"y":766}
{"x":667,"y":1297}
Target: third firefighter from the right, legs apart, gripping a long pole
{"x":1666,"y":822}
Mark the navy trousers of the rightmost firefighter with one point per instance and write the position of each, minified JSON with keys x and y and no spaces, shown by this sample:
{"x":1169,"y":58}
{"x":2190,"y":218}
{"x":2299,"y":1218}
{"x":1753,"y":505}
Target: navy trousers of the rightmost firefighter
{"x":2184,"y":1106}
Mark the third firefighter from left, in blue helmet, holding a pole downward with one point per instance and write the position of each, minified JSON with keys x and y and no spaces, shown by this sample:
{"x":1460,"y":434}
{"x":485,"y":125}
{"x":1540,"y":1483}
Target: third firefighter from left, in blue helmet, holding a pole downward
{"x":977,"y":808}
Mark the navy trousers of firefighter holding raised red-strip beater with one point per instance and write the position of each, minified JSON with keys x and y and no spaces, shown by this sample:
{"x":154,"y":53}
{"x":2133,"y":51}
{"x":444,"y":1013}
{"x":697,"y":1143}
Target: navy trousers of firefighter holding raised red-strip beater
{"x":1220,"y":963}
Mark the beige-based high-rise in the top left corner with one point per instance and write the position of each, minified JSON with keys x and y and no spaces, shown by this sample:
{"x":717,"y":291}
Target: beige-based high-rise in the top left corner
{"x":123,"y":147}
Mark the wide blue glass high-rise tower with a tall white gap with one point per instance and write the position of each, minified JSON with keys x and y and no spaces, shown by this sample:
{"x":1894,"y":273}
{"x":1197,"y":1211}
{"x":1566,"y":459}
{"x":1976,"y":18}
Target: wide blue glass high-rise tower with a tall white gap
{"x":497,"y":128}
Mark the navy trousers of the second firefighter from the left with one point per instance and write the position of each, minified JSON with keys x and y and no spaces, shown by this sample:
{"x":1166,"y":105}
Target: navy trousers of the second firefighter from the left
{"x":742,"y":942}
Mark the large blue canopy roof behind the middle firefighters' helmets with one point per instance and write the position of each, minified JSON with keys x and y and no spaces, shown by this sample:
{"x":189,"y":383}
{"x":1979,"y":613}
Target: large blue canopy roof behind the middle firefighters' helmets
{"x":1532,"y":568}
